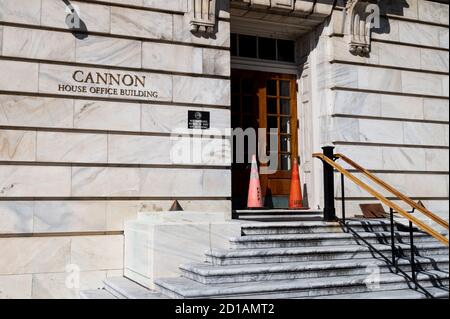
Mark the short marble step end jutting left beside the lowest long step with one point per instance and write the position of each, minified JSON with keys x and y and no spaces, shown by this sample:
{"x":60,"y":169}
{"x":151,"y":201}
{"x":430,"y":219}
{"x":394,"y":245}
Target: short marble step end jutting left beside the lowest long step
{"x":124,"y":288}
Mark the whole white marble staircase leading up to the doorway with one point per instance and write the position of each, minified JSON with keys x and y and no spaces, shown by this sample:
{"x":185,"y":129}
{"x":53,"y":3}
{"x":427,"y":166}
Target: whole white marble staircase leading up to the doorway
{"x":302,"y":259}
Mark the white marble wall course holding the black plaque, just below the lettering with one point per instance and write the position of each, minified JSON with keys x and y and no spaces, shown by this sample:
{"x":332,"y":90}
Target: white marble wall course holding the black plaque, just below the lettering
{"x":100,"y":115}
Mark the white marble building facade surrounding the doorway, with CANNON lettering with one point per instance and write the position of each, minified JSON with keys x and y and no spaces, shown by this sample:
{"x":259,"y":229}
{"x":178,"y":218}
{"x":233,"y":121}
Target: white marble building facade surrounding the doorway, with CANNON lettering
{"x":75,"y":165}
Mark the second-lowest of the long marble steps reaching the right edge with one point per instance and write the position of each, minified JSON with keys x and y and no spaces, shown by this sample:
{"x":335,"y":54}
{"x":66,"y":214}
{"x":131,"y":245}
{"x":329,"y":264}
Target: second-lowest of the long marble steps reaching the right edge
{"x":209,"y":274}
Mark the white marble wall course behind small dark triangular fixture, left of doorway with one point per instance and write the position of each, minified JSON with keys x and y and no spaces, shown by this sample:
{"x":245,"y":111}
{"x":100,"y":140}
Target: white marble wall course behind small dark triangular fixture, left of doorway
{"x":58,"y":216}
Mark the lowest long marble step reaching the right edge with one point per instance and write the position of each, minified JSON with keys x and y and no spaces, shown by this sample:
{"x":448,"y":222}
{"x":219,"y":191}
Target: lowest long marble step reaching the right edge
{"x":182,"y":287}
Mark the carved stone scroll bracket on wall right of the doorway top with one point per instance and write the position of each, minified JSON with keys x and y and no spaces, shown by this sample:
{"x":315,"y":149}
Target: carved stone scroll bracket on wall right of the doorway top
{"x":359,"y":16}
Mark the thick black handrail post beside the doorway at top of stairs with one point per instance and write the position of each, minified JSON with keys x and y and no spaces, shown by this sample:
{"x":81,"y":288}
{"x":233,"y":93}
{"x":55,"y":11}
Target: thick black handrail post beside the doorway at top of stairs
{"x":329,"y":211}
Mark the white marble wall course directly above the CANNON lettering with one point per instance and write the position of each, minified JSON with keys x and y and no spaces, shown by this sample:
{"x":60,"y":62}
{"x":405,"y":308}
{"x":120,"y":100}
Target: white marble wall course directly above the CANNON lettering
{"x":112,"y":51}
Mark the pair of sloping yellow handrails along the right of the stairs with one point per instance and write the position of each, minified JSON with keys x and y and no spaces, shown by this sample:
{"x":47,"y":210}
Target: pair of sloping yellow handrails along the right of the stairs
{"x":420,"y":224}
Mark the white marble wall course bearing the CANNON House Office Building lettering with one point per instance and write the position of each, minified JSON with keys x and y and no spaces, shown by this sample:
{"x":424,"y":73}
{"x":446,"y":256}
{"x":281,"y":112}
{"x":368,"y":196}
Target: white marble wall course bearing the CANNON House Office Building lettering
{"x":44,"y":78}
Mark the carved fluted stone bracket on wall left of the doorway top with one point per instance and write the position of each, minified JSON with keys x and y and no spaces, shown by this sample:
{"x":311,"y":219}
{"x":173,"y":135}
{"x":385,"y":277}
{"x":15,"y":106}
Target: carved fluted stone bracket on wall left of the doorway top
{"x":203,"y":16}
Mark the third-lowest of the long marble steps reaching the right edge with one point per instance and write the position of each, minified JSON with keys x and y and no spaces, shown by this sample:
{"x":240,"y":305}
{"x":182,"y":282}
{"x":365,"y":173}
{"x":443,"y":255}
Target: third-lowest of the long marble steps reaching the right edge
{"x":299,"y":254}
